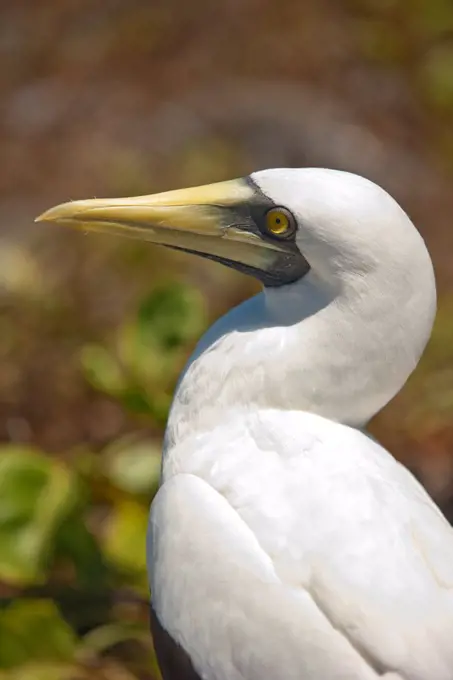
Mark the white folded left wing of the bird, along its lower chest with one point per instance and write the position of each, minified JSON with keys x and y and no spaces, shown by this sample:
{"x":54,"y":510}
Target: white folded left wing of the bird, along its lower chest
{"x":215,"y":591}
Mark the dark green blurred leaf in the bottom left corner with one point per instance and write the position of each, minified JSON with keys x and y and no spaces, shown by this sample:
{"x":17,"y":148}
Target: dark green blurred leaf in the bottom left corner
{"x":34,"y":629}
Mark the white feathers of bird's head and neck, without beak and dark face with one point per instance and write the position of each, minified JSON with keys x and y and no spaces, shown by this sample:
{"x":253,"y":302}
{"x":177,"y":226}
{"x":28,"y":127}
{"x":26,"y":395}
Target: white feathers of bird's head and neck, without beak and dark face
{"x":340,"y":342}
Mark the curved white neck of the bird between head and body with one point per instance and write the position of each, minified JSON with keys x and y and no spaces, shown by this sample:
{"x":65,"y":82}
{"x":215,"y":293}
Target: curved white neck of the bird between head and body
{"x":341,"y":353}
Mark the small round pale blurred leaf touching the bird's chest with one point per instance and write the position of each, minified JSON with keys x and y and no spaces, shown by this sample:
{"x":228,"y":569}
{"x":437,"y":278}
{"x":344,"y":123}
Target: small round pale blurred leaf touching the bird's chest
{"x":133,"y":466}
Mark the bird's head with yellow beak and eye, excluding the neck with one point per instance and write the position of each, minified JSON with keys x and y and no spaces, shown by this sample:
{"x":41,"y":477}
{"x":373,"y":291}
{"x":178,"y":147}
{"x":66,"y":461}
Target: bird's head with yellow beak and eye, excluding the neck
{"x":276,"y":225}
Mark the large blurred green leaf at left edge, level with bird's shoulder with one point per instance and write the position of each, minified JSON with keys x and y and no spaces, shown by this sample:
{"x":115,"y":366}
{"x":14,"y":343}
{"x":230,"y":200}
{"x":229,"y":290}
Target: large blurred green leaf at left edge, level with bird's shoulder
{"x":37,"y":493}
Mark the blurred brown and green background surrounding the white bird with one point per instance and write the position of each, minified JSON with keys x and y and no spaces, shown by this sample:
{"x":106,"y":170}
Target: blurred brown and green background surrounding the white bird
{"x":114,"y":98}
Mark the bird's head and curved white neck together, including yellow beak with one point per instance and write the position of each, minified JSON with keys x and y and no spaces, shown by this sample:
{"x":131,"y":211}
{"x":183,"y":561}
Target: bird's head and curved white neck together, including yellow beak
{"x":350,"y":292}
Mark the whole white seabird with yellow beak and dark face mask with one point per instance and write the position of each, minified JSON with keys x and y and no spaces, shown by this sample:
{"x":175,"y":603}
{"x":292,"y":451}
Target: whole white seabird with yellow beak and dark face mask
{"x":285,"y":542}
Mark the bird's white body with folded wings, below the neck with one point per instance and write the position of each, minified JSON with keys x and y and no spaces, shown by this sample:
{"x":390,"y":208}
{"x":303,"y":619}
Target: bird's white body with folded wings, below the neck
{"x":317,"y":557}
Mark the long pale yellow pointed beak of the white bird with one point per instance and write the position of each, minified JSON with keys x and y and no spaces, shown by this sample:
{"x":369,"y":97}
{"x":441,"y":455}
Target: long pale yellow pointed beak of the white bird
{"x":218,"y":221}
